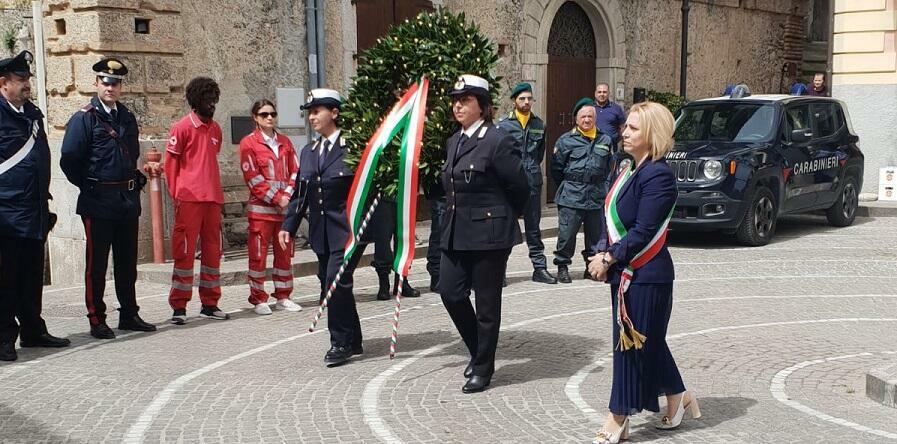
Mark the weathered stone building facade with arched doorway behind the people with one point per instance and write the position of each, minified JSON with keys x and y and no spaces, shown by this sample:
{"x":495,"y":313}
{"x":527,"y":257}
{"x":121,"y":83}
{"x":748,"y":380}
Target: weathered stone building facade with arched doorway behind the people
{"x":252,"y":48}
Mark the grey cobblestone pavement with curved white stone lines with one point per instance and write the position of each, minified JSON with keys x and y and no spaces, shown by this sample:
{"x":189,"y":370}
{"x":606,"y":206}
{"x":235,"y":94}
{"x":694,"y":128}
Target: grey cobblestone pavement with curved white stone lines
{"x":775,"y":342}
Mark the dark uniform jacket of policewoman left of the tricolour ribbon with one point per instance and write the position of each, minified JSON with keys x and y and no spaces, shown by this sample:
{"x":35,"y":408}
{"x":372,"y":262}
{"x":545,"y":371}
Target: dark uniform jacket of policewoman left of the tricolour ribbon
{"x":321,"y":193}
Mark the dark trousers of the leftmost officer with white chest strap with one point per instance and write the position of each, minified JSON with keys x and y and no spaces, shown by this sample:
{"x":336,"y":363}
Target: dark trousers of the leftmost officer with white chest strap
{"x":21,"y":288}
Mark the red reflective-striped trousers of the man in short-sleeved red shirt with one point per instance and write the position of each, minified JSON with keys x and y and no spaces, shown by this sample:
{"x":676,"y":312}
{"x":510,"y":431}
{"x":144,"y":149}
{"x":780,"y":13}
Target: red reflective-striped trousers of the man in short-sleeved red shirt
{"x":192,"y":220}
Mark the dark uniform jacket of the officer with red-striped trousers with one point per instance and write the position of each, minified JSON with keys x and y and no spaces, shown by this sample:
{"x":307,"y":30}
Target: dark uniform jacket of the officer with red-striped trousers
{"x":92,"y":155}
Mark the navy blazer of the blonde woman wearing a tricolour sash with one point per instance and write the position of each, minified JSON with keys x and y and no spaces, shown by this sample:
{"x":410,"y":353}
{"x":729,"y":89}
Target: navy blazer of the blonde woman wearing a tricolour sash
{"x":643,"y":204}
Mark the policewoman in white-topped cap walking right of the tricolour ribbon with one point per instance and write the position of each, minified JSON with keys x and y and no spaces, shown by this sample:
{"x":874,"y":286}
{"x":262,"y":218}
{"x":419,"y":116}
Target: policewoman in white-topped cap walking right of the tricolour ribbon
{"x":486,"y":191}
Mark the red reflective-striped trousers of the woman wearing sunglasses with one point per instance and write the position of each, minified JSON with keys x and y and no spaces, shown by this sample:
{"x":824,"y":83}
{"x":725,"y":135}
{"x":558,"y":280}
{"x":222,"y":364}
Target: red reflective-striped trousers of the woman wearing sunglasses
{"x":263,"y":233}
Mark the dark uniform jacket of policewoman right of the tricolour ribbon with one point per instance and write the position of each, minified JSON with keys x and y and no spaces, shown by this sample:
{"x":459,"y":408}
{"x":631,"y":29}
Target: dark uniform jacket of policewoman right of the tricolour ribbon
{"x":486,"y":191}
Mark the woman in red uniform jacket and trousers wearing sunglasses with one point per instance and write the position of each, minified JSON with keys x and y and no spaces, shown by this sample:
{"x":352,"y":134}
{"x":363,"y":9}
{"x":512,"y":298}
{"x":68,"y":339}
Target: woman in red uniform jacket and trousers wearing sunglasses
{"x":269,"y":167}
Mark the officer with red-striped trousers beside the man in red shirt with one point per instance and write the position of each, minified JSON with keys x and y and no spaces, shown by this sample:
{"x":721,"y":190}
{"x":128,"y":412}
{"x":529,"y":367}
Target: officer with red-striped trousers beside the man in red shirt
{"x":99,"y":156}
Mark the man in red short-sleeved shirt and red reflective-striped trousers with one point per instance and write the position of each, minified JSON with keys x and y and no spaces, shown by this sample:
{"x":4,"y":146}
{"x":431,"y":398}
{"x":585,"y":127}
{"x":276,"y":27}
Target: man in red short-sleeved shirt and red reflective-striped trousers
{"x":194,"y":182}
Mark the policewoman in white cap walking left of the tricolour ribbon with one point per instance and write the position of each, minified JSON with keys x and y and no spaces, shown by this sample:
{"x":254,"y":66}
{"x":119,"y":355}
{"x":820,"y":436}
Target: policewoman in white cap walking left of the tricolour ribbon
{"x":322,"y":190}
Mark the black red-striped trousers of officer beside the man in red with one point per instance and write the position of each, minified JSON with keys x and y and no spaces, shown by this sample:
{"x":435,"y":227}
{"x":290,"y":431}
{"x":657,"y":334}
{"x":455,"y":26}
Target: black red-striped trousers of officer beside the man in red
{"x":121,"y":236}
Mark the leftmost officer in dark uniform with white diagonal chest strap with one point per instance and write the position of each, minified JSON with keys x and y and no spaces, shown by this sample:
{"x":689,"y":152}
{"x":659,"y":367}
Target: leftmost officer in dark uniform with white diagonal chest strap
{"x":25,"y":218}
